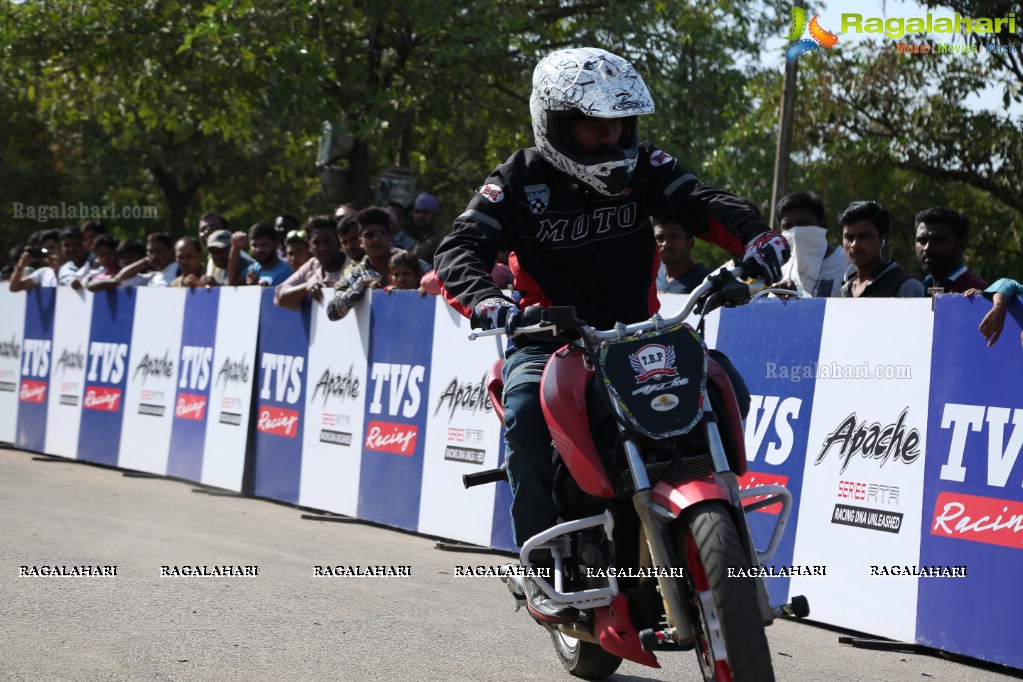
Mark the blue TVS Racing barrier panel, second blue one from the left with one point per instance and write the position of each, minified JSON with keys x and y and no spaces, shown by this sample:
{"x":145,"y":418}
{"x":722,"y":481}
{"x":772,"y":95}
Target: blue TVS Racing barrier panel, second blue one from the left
{"x":103,"y":410}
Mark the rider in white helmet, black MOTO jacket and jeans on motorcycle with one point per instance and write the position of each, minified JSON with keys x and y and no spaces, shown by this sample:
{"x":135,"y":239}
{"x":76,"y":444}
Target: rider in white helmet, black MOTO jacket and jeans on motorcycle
{"x":574,"y":214}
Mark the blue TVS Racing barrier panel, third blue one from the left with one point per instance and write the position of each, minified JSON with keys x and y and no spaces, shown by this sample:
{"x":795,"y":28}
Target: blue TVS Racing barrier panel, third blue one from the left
{"x":195,"y":378}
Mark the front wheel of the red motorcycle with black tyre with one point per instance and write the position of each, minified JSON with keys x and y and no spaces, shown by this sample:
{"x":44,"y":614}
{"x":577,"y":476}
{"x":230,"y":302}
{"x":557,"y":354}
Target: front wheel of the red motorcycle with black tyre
{"x":725,"y":609}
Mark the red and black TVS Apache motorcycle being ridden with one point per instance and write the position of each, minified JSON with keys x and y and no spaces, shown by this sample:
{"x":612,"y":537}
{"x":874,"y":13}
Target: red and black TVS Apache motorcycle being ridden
{"x":655,"y":553}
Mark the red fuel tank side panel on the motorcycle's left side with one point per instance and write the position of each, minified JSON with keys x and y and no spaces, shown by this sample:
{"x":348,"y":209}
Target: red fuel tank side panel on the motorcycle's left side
{"x":563,"y":397}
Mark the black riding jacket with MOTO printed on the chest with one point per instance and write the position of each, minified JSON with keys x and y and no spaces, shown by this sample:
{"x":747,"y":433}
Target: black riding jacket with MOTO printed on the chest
{"x":569,"y":246}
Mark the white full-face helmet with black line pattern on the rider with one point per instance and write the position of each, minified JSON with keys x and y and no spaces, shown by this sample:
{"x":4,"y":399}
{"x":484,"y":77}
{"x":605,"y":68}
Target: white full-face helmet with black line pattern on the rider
{"x":589,"y":81}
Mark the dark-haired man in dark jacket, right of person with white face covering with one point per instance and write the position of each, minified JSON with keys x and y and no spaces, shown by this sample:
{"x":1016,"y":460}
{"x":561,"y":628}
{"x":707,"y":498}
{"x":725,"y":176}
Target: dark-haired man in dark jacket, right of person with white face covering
{"x":865,"y":236}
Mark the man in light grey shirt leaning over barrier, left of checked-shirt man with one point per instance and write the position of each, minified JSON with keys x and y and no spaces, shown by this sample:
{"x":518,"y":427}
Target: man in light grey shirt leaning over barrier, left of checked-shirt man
{"x":322,"y":271}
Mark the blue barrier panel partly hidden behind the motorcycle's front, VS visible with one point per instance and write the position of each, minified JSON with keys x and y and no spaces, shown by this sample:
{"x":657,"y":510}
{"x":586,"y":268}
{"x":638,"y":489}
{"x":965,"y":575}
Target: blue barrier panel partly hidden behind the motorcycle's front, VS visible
{"x":776,"y":345}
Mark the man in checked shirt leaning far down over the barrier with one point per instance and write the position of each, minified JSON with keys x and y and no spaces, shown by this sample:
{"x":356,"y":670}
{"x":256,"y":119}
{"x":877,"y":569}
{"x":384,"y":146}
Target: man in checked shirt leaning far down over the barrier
{"x":374,"y":270}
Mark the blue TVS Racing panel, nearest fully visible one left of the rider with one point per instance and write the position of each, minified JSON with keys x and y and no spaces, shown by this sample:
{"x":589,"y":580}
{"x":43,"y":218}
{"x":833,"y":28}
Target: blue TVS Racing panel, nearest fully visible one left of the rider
{"x":401,"y":349}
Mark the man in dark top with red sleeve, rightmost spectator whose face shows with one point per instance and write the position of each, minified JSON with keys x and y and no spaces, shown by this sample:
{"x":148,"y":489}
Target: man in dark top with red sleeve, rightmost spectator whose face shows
{"x":942,"y":241}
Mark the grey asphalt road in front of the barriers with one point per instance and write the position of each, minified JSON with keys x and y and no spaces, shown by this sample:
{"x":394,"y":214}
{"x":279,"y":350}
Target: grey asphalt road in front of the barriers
{"x":286,"y":623}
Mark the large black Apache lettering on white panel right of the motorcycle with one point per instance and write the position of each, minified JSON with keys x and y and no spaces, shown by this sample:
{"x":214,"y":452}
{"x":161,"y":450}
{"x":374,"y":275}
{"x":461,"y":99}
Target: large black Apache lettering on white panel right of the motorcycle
{"x":874,"y":442}
